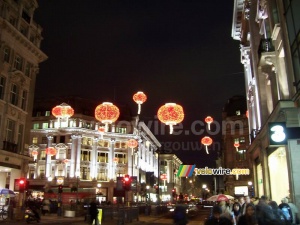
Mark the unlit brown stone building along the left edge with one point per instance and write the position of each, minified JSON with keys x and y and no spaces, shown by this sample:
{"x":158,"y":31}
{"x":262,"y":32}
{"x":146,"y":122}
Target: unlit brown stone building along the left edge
{"x":20,"y":56}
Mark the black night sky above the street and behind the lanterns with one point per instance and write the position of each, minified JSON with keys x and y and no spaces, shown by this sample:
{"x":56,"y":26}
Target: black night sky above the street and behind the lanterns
{"x":173,"y":50}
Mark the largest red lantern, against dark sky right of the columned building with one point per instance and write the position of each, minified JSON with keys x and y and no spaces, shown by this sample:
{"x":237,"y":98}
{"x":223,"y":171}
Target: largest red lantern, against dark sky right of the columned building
{"x":170,"y":114}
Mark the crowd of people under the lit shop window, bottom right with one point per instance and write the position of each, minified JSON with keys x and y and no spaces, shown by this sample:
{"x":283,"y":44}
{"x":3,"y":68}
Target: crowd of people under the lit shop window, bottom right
{"x":247,"y":211}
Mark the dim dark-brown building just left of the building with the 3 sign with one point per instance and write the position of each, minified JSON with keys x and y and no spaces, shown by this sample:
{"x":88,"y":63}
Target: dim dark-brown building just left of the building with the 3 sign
{"x":235,"y":141}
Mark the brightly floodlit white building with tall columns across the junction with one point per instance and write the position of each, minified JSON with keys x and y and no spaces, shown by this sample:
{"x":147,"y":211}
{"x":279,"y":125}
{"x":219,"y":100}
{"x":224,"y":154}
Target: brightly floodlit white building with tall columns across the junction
{"x":87,"y":160}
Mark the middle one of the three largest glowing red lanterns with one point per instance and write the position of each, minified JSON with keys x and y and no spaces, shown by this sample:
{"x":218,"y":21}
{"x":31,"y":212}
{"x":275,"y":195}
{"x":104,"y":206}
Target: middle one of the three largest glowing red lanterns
{"x":107,"y":113}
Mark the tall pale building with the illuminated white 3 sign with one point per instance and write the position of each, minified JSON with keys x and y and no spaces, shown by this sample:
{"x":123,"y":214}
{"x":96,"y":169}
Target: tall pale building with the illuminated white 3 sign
{"x":268,"y":32}
